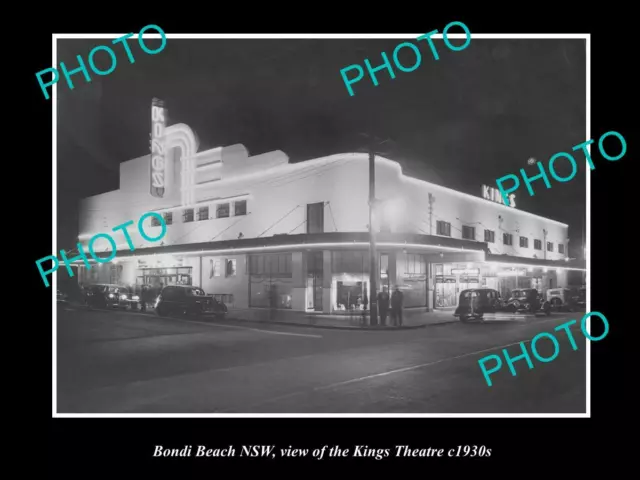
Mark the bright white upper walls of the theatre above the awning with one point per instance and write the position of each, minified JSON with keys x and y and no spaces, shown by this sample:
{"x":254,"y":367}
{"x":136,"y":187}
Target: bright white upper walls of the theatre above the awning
{"x":278,"y":195}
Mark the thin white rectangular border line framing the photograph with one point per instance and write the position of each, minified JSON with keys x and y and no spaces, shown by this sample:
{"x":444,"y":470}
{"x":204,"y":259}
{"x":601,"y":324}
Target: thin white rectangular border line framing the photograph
{"x":54,"y":62}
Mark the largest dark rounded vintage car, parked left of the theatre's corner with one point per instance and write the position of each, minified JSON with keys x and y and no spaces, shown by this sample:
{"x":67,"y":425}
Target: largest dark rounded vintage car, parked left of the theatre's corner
{"x":188,"y":300}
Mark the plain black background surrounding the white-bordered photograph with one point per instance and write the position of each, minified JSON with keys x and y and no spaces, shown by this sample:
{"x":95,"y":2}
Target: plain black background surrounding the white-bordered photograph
{"x":91,"y":447}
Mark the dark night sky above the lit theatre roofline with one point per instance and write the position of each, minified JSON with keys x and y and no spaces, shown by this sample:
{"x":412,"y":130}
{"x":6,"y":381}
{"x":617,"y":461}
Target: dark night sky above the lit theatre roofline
{"x":461,"y":121}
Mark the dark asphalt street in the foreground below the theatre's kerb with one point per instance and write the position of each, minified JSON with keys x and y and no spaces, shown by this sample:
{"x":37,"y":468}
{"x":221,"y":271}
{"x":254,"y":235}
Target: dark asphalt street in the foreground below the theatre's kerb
{"x":121,"y":362}
